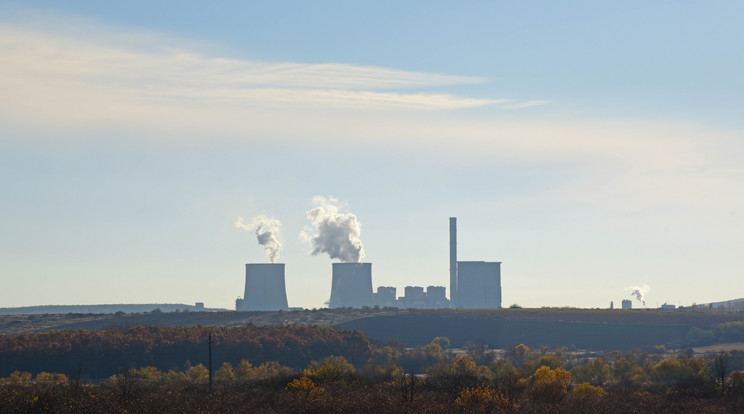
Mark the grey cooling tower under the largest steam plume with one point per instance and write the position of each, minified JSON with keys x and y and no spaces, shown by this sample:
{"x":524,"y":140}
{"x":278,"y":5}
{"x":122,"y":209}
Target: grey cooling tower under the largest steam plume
{"x":351,"y":286}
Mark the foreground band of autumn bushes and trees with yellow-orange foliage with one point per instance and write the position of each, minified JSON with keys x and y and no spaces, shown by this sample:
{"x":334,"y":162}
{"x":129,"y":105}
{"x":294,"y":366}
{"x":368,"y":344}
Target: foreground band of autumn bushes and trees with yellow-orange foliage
{"x":431,"y":378}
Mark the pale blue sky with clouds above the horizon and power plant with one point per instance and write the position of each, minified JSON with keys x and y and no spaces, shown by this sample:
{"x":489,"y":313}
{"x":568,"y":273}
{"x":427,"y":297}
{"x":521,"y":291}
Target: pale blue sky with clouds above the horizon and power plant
{"x":588,"y":146}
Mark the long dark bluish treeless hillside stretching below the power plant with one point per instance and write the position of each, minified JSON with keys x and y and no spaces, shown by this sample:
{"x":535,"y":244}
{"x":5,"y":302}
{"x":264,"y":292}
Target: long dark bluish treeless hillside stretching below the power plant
{"x":584,"y":328}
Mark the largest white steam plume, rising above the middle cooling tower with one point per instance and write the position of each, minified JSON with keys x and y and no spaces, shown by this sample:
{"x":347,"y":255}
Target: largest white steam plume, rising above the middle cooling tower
{"x":334,"y":233}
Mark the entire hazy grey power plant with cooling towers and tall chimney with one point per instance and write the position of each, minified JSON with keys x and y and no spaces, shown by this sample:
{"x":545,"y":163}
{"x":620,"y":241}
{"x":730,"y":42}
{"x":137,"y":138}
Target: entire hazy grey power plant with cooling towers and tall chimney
{"x":473,"y":284}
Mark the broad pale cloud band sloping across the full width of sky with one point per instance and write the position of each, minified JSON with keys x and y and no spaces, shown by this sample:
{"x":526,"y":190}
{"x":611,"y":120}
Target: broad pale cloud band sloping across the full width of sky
{"x":65,"y":83}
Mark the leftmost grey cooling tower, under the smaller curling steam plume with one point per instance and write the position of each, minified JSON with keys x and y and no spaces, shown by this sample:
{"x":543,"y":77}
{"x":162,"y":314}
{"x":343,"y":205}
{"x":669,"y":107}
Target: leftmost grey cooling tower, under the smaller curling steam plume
{"x":264,"y":287}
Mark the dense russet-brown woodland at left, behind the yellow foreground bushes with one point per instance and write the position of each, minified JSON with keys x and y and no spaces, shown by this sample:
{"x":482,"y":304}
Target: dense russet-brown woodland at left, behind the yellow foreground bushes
{"x":99,"y":354}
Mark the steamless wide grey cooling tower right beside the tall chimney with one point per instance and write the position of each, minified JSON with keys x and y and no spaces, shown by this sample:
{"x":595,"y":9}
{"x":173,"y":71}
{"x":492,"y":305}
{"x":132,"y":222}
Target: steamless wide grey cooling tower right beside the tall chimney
{"x":479,"y":284}
